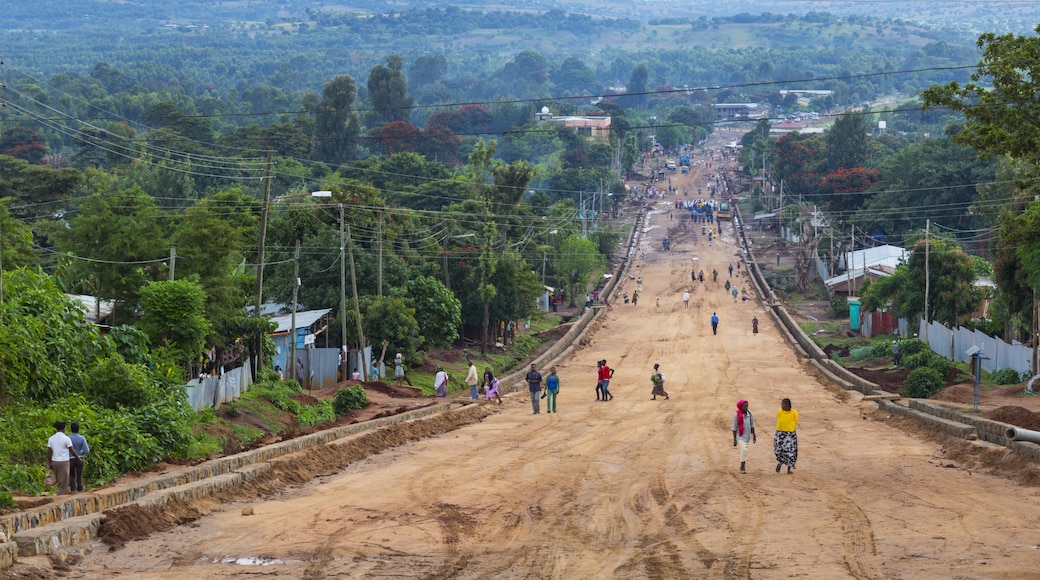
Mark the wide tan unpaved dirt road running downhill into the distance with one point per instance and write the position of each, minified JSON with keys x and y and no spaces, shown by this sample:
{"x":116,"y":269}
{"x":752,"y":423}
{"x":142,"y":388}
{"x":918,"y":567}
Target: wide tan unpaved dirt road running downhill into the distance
{"x":635,"y":488}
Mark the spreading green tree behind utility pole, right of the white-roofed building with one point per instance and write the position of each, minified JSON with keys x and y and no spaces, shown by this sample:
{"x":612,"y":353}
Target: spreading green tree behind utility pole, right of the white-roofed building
{"x":951,"y":282}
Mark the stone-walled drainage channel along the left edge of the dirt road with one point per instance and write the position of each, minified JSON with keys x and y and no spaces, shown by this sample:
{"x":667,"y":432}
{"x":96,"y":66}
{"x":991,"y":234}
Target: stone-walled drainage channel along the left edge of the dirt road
{"x":76,"y":520}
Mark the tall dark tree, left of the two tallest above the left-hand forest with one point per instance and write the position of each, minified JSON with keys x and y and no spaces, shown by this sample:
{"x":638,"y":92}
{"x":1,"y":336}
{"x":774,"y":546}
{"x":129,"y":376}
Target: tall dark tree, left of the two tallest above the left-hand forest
{"x":336,"y":123}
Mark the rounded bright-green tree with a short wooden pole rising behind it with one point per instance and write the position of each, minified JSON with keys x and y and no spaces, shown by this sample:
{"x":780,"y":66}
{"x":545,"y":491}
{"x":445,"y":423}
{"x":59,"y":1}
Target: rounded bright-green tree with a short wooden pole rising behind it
{"x":174,"y":317}
